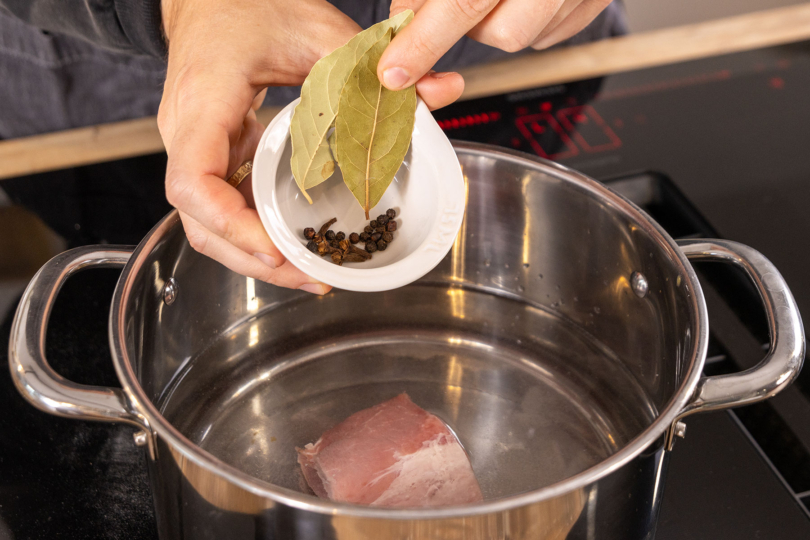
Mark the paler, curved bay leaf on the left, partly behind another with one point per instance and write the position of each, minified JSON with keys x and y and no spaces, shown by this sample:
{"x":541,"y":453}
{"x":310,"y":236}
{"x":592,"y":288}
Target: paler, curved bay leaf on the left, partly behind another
{"x":313,"y":117}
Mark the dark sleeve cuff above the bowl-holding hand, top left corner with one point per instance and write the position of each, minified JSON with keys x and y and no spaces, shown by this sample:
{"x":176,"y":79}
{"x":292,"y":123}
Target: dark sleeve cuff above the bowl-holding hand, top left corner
{"x":132,"y":26}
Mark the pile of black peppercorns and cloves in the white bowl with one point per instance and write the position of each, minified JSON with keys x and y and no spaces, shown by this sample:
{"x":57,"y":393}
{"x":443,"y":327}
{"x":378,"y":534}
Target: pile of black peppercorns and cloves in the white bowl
{"x":375,"y":237}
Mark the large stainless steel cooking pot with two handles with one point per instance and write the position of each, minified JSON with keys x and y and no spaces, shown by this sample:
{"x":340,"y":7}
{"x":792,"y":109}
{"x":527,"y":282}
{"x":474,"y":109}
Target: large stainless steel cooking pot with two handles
{"x":563,"y":339}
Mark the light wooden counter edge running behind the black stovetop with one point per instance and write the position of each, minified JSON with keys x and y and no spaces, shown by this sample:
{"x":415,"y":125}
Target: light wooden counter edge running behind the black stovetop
{"x":119,"y":140}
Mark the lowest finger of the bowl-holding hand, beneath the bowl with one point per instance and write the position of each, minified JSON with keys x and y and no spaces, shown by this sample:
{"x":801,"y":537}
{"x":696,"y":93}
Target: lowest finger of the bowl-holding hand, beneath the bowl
{"x":286,"y":275}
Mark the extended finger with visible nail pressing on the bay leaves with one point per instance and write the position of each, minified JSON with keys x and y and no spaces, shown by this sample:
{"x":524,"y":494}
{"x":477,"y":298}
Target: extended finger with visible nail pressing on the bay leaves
{"x":437,"y":26}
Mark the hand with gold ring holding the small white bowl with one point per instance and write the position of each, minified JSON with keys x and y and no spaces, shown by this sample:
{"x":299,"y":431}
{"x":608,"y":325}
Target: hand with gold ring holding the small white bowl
{"x":222,"y":57}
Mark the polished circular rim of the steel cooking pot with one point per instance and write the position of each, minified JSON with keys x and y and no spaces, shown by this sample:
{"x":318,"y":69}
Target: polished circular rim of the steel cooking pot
{"x":161,"y":427}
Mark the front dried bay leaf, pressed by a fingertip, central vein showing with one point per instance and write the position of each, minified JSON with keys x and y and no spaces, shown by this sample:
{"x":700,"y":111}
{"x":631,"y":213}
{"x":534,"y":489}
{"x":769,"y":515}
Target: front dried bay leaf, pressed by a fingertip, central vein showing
{"x":373,"y":128}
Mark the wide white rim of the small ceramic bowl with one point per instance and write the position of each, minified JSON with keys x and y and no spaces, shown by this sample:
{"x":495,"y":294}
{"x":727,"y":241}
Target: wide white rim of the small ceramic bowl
{"x":451,"y":195}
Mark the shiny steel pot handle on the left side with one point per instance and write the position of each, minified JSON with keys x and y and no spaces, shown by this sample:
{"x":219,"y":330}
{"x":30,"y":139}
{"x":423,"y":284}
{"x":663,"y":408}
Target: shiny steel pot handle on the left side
{"x":34,"y":377}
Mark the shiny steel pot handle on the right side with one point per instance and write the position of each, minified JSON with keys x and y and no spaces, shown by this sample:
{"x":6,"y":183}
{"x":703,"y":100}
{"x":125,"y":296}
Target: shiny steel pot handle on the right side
{"x":784,"y":359}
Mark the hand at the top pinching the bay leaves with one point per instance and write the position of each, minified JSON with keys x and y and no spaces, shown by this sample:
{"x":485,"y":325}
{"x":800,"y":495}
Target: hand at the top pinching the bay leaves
{"x":510,"y":25}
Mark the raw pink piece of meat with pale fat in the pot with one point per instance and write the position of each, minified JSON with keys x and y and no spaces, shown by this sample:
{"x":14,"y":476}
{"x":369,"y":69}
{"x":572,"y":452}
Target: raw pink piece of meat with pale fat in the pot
{"x":394,"y":454}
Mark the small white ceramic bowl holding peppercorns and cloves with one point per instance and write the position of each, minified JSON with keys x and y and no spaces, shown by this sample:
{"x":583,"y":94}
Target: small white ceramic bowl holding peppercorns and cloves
{"x":428,"y":193}
